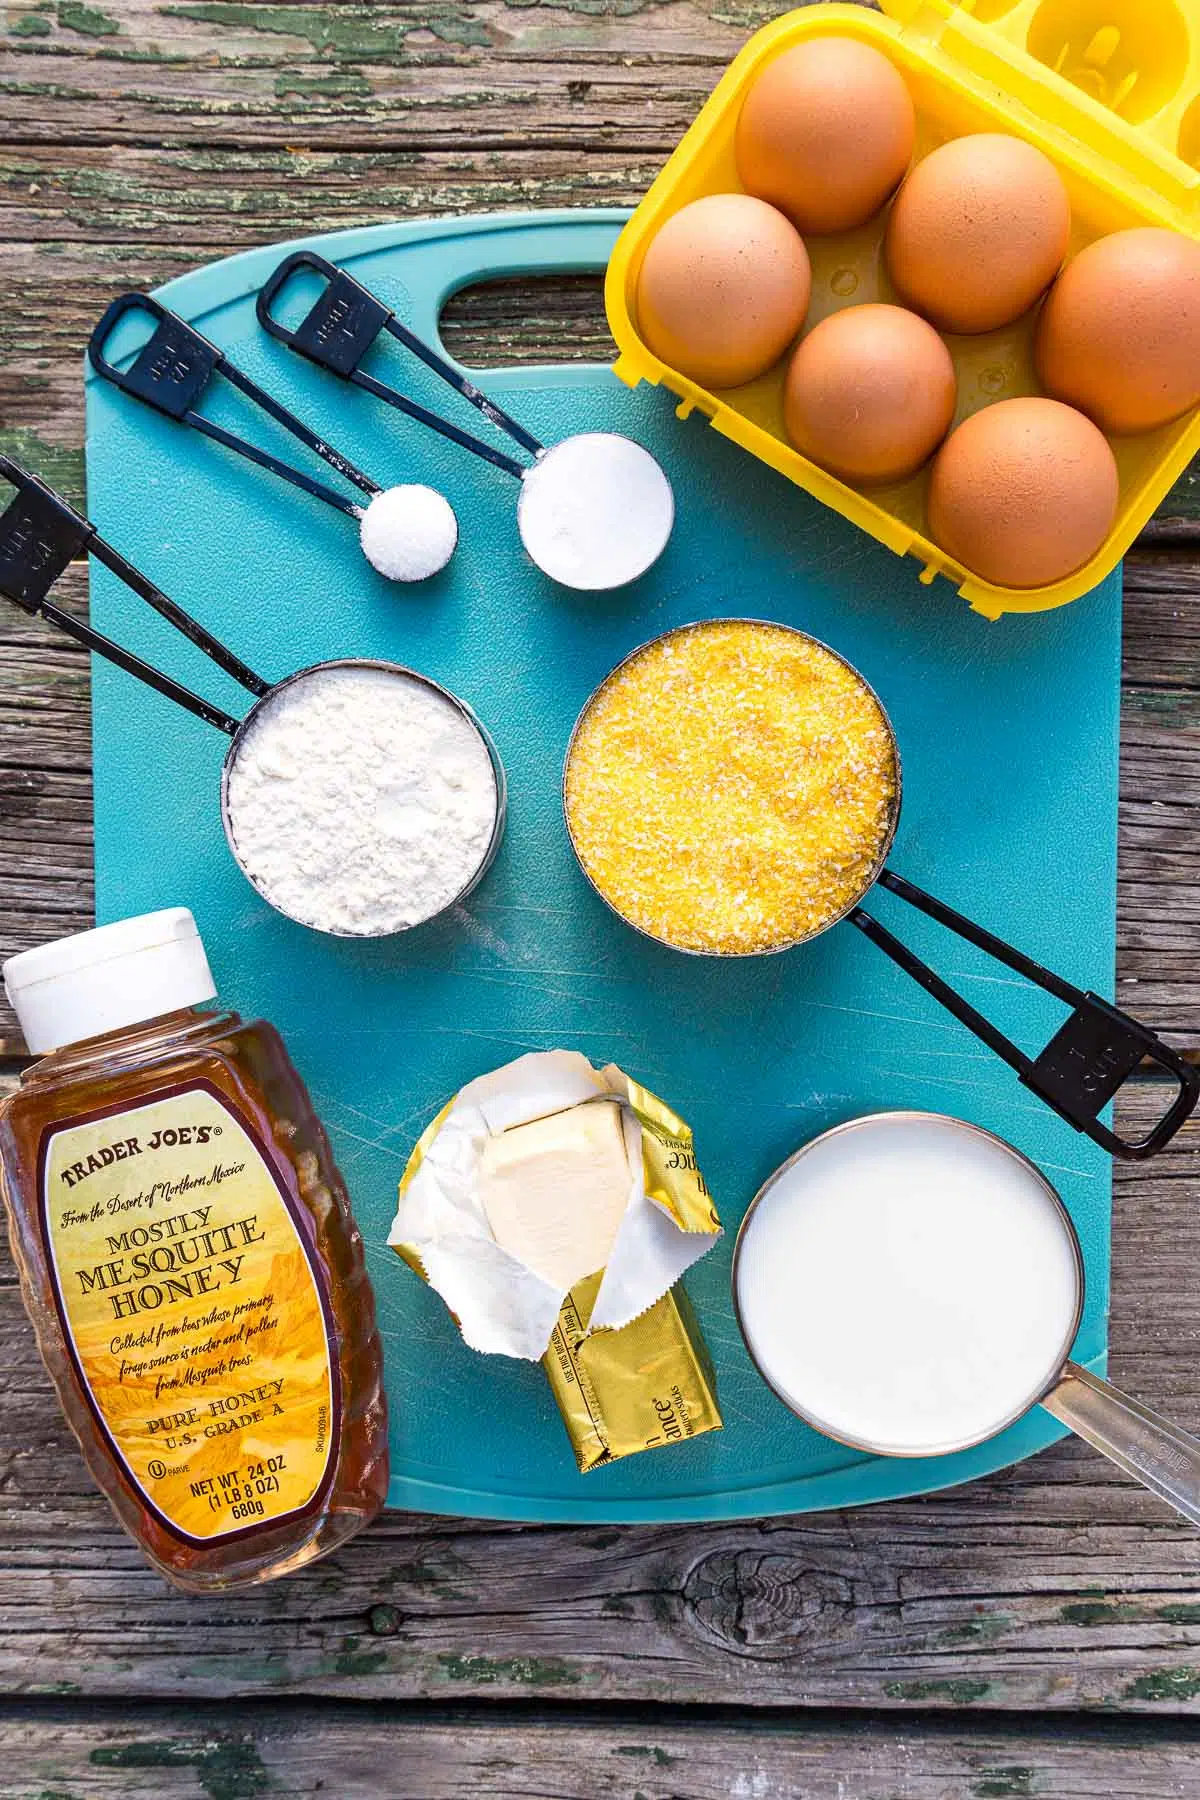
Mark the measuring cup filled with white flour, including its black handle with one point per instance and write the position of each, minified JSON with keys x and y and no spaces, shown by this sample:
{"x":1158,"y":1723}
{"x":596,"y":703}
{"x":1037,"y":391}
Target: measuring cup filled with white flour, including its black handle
{"x":357,"y":796}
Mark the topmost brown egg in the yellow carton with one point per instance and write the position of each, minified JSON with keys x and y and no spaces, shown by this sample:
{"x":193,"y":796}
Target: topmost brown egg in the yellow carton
{"x":827,"y":134}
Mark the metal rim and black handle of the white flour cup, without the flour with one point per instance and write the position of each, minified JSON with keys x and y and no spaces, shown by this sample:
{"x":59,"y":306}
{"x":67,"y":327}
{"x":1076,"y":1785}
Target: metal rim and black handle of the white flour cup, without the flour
{"x":42,"y":534}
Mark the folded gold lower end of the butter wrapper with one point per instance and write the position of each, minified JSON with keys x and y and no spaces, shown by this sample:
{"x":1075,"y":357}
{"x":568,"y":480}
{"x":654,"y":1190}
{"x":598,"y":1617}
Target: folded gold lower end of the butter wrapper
{"x":636,"y":1389}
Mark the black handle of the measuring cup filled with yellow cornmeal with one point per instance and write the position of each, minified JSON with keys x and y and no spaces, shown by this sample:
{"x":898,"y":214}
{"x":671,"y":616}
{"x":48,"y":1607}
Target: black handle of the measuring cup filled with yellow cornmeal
{"x":1086,"y":1063}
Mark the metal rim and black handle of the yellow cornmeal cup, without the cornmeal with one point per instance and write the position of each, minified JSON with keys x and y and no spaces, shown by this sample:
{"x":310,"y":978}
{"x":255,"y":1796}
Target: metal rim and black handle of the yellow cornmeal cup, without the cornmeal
{"x":1088,"y":1061}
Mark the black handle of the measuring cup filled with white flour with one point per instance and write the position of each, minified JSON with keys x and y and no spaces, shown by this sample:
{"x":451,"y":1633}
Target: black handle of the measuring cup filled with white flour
{"x":40,"y":535}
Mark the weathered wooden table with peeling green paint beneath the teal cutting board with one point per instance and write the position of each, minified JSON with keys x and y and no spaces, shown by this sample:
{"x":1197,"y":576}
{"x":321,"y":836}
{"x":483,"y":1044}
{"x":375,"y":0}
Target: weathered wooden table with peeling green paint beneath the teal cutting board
{"x":1034,"y":1635}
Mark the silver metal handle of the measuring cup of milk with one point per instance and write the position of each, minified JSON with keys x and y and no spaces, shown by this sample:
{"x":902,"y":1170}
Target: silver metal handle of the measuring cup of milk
{"x":1147,"y":1446}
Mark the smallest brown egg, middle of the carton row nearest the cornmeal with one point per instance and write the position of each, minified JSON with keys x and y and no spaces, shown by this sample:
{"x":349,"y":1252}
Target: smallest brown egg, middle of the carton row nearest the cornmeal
{"x":870,"y":393}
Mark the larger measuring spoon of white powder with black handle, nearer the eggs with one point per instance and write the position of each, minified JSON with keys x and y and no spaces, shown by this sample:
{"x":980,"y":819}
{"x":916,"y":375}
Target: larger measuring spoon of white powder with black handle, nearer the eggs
{"x":595,"y":510}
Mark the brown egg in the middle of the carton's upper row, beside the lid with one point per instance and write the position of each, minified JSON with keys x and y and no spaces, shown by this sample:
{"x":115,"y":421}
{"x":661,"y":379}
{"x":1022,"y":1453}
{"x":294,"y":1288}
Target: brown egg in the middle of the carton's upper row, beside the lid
{"x":978,"y":231}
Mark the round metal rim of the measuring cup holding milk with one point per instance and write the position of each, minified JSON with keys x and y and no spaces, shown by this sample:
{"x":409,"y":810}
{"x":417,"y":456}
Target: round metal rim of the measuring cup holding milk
{"x":864,"y":1120}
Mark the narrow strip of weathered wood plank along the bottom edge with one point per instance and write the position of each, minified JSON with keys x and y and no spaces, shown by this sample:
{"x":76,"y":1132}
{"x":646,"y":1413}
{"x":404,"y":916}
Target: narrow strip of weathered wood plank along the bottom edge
{"x":240,"y":1752}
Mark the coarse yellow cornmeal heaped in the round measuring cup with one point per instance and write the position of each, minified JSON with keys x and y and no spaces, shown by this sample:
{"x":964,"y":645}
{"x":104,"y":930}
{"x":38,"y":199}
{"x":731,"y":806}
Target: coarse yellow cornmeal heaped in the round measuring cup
{"x":731,"y":787}
